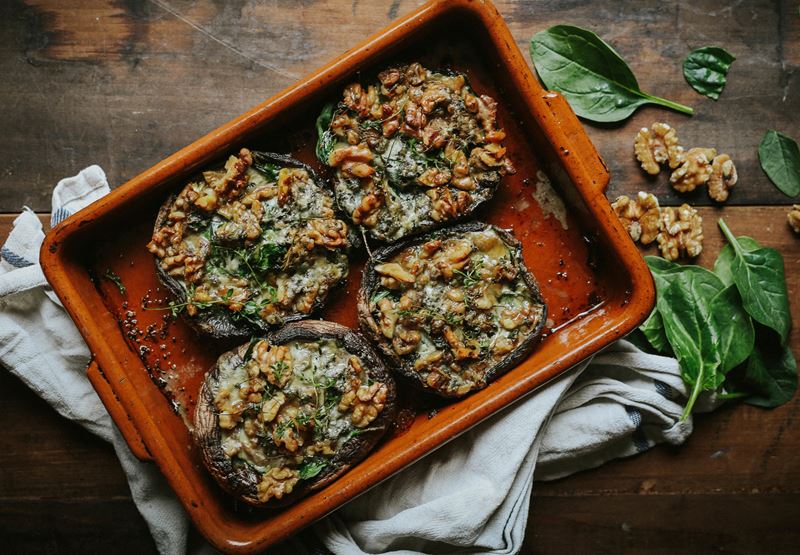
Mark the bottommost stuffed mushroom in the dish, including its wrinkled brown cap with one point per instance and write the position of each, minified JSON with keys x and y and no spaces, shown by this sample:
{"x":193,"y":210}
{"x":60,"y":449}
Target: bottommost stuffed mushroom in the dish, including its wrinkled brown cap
{"x":290,"y":413}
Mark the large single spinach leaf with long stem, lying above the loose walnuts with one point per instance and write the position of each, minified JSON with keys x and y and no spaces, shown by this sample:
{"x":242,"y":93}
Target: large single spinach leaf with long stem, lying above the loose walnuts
{"x":594,"y":79}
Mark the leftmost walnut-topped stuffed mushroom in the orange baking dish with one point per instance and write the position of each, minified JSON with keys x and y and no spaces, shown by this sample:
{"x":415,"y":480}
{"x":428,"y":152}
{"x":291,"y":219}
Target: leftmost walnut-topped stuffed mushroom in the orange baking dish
{"x":250,"y":246}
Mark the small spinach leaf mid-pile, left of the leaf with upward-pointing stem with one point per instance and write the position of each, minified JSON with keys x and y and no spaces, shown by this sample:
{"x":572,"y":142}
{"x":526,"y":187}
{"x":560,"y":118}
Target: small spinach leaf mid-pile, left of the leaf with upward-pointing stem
{"x":733,"y":328}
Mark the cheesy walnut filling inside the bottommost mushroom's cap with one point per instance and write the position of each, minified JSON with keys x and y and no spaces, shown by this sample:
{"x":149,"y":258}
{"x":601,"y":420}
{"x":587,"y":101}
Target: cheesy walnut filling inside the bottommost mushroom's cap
{"x":286,"y":410}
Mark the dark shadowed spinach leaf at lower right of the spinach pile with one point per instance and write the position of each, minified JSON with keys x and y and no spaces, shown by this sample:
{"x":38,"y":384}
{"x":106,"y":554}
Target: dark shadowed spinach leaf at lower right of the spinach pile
{"x":771,"y":375}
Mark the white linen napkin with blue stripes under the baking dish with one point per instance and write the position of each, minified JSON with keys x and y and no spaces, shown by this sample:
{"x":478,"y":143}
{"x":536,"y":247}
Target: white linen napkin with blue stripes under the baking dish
{"x":470,"y":496}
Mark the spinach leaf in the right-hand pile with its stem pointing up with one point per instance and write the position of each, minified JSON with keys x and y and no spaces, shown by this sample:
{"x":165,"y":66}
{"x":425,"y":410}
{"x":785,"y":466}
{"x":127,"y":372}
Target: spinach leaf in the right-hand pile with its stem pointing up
{"x":759,"y":277}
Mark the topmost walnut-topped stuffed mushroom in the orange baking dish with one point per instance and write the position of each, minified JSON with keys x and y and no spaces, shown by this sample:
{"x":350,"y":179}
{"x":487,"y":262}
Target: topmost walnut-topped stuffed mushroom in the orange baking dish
{"x":412,"y":151}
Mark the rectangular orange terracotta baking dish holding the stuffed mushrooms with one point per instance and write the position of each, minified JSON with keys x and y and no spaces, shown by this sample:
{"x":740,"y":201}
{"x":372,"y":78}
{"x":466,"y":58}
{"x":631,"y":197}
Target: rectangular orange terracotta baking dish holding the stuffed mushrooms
{"x":594,"y":280}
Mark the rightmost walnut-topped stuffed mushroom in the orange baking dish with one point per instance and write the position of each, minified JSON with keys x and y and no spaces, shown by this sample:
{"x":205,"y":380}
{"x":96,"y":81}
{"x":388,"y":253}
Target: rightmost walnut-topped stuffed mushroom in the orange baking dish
{"x":453,"y":309}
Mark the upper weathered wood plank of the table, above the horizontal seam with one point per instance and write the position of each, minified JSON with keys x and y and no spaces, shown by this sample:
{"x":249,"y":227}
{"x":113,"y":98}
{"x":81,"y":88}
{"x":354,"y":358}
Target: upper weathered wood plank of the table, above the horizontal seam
{"x":125,"y":83}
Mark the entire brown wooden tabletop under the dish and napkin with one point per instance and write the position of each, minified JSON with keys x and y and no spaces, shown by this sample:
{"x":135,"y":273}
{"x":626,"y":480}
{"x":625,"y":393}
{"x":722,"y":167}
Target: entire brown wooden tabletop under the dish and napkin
{"x":124,"y":83}
